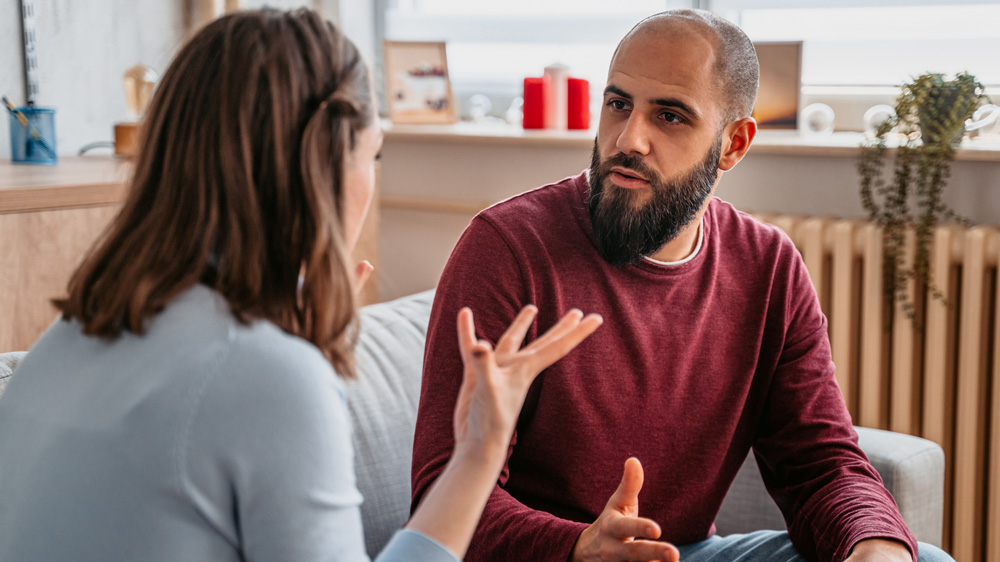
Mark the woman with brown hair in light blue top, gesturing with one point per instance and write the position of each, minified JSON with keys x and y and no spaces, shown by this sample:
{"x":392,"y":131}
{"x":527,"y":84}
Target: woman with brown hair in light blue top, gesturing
{"x":189,"y":404}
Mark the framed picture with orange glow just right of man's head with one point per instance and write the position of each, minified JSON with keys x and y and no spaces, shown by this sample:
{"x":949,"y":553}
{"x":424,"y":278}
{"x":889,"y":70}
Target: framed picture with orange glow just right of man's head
{"x":777,"y":105}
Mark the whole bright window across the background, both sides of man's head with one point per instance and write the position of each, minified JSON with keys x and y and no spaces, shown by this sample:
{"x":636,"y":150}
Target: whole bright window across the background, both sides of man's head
{"x":854,"y":51}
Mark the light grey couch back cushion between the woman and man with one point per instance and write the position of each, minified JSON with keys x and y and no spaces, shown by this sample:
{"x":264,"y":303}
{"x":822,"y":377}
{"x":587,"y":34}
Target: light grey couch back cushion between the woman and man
{"x":383,"y":405}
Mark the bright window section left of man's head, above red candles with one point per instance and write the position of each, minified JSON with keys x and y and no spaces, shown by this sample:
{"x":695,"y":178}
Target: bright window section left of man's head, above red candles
{"x":493,"y":46}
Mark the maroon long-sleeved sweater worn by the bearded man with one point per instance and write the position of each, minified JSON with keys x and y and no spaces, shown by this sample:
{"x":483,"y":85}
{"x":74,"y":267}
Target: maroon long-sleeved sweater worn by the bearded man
{"x":694,"y":365}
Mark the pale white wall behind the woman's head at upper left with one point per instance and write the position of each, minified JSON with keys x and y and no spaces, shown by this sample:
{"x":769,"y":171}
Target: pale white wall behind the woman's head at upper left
{"x":84,"y":47}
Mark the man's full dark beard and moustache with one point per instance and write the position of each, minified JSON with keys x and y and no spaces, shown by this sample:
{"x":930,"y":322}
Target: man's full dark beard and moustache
{"x":627,"y":229}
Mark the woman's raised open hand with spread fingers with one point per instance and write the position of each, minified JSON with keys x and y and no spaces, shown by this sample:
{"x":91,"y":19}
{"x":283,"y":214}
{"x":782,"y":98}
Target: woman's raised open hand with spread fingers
{"x":495,"y":382}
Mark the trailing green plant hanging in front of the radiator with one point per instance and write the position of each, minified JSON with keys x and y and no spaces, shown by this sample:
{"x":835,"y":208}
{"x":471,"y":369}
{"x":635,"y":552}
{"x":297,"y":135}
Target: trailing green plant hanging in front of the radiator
{"x":929,"y":123}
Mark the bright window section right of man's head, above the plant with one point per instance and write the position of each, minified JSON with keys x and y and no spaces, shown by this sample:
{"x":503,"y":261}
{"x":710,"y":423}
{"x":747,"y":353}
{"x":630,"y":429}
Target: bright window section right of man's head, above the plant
{"x":881,"y":45}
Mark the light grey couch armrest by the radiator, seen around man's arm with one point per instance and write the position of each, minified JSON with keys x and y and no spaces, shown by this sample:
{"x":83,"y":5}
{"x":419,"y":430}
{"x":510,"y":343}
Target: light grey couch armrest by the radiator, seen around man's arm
{"x":911,"y":467}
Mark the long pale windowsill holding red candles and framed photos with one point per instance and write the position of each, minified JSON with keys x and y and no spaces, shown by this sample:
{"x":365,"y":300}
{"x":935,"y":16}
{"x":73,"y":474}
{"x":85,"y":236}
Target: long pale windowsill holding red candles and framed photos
{"x":771,"y":142}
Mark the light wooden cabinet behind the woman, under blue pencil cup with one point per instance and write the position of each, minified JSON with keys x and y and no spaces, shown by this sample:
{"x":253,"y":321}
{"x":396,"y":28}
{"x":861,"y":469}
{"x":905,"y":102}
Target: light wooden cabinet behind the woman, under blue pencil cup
{"x":49,"y":218}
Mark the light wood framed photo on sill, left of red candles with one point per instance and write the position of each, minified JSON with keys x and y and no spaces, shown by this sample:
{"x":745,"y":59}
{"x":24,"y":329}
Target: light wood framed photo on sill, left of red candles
{"x":417,"y":88}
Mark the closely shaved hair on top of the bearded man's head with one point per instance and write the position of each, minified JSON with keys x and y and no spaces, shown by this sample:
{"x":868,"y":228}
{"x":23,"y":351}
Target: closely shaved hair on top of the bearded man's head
{"x":735,"y":66}
